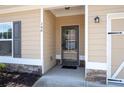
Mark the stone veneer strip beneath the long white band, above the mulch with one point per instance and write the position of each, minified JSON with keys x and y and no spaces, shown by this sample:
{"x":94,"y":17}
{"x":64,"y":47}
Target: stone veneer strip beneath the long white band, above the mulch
{"x":23,"y":68}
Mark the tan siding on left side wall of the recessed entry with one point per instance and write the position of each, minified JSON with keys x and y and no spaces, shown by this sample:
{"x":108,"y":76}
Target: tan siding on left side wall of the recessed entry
{"x":49,"y":40}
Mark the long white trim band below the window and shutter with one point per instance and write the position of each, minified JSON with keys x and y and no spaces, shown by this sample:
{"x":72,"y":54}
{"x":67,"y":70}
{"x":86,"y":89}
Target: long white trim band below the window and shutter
{"x":20,"y":61}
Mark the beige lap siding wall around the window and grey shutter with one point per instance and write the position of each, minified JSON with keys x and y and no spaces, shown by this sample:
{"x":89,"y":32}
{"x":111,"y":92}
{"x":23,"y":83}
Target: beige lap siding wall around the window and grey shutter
{"x":30,"y":31}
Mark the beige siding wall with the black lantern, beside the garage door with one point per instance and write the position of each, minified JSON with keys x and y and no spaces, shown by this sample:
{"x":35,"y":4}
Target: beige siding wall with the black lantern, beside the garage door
{"x":97,"y":31}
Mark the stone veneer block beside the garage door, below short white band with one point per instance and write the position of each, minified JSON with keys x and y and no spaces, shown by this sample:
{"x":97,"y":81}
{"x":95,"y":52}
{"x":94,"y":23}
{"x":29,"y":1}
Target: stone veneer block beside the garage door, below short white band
{"x":98,"y":76}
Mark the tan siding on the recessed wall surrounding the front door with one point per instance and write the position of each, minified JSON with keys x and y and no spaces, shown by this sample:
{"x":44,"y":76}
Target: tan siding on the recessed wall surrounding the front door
{"x":67,"y":21}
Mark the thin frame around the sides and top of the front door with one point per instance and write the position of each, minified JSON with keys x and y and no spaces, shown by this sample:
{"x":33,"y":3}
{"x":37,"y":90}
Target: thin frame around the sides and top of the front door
{"x":78,"y":40}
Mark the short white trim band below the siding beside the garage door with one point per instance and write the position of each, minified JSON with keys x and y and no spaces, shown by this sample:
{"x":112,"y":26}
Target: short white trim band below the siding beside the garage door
{"x":96,"y":65}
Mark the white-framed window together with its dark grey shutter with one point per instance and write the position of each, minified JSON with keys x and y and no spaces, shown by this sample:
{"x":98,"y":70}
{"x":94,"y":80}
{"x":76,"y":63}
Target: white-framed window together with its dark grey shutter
{"x":10,"y":39}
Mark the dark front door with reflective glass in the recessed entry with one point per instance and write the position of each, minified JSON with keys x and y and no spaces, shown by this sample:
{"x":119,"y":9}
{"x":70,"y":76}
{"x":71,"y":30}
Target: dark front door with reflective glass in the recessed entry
{"x":70,"y":45}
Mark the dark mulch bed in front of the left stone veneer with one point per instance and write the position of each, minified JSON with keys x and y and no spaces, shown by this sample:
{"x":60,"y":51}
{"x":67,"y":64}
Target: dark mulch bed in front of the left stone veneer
{"x":15,"y":79}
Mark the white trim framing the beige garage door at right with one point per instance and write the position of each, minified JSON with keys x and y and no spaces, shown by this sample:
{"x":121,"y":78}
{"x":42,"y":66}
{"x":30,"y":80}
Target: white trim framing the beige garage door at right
{"x":109,"y":42}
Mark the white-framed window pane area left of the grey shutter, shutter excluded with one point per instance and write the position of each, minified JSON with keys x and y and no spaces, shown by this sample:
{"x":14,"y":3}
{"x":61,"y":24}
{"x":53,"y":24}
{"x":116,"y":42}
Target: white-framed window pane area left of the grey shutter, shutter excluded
{"x":6,"y":39}
